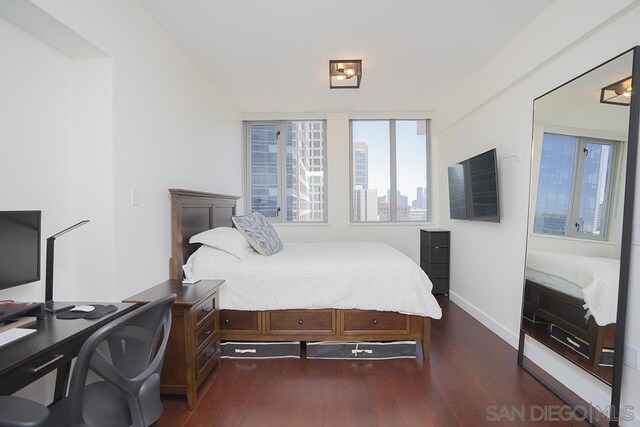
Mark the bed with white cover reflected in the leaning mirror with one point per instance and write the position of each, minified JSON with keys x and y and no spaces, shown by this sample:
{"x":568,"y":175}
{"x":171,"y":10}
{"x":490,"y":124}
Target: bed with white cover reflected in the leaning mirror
{"x":578,"y":296}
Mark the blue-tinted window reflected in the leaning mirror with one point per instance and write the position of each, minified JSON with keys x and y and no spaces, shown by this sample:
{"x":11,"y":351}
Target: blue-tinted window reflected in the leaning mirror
{"x":574,"y":186}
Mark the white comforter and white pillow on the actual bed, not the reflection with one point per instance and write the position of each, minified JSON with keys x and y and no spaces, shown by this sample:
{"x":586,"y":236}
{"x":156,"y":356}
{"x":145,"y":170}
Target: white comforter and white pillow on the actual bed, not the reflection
{"x":368,"y":276}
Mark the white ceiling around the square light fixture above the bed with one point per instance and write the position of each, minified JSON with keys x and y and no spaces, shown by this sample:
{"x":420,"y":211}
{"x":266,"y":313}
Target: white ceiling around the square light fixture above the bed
{"x":272,"y":56}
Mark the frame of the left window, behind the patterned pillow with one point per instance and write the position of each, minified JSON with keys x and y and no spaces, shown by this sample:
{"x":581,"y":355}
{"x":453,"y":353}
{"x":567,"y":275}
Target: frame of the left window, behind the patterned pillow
{"x":282,"y":168}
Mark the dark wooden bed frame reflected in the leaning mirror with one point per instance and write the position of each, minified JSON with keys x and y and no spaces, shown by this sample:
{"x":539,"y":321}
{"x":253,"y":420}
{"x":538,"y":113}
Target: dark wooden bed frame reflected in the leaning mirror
{"x":568,"y":312}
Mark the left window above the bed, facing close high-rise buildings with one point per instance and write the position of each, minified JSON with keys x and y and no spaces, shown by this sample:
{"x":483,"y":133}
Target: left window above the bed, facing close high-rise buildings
{"x":286,"y":163}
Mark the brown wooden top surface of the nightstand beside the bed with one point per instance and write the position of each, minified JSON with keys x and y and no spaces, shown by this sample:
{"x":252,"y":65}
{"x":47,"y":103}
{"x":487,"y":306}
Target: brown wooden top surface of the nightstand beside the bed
{"x":186,"y":295}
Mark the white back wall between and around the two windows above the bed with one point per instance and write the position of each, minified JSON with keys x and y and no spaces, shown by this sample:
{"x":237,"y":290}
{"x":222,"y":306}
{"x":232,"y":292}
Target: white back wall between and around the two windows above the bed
{"x":403,"y":236}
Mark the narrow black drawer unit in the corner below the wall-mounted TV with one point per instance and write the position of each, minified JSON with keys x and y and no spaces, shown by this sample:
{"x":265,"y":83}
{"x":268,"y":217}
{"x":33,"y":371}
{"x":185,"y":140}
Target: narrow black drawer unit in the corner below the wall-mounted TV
{"x":434,"y":258}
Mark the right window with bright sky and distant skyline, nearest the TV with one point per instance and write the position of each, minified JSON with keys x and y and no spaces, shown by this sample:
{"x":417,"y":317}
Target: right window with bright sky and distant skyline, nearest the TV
{"x":389,"y":169}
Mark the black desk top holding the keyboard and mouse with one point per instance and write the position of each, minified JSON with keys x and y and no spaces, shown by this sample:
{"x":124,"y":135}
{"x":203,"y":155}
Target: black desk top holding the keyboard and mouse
{"x":52,"y":334}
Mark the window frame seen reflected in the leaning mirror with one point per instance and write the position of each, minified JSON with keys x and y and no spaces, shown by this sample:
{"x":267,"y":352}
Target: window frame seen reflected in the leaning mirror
{"x":576,"y":191}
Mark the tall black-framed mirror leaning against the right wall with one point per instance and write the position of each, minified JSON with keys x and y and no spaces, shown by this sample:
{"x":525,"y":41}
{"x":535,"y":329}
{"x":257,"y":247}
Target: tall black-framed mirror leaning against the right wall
{"x":577,"y":261}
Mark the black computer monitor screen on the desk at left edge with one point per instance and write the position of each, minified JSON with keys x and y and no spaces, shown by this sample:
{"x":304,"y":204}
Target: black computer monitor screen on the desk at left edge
{"x":19,"y":247}
